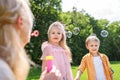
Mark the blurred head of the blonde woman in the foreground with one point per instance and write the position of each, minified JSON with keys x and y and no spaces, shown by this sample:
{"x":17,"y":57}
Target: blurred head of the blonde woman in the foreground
{"x":17,"y":15}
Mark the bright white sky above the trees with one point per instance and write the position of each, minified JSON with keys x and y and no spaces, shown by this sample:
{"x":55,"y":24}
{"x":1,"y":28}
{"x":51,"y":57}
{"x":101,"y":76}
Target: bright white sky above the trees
{"x":99,"y":9}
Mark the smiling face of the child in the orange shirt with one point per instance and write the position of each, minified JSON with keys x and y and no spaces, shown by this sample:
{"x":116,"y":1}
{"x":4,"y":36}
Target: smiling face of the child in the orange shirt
{"x":93,"y":47}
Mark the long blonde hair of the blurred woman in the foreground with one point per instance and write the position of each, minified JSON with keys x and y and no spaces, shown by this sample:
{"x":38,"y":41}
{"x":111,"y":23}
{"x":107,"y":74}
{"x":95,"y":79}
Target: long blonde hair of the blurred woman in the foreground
{"x":11,"y":48}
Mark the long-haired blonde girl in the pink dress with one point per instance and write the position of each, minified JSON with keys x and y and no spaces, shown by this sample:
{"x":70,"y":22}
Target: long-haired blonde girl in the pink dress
{"x":56,"y":46}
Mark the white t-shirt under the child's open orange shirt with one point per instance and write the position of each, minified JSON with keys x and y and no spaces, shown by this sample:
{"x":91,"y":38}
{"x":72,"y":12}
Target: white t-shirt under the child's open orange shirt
{"x":99,"y":68}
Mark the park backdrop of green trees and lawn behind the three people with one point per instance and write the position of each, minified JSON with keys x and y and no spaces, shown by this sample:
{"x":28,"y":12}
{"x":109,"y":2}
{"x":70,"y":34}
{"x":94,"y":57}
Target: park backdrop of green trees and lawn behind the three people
{"x":79,"y":25}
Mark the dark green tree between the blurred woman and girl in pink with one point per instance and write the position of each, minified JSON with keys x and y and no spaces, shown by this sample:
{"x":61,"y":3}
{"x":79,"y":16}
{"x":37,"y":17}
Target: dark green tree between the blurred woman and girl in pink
{"x":45,"y":12}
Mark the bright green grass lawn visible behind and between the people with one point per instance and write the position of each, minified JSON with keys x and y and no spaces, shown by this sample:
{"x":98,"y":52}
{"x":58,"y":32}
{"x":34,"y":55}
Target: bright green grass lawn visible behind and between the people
{"x":35,"y":72}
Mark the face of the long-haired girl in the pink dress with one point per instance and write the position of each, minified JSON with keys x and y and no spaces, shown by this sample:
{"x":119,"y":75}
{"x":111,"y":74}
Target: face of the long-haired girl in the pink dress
{"x":55,"y":35}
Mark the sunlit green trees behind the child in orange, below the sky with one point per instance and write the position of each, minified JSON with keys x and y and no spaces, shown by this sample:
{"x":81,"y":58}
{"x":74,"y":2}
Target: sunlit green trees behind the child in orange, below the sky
{"x":87,"y":25}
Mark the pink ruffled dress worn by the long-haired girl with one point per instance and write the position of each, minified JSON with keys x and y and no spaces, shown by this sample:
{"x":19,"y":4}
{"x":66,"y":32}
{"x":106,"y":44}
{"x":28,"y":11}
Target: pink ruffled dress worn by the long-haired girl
{"x":60,"y":60}
